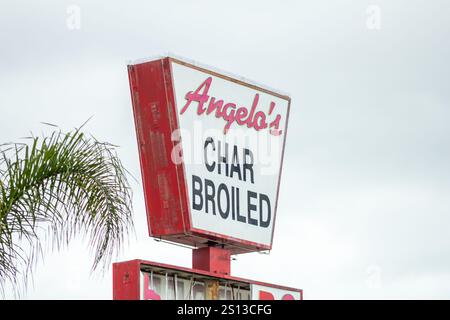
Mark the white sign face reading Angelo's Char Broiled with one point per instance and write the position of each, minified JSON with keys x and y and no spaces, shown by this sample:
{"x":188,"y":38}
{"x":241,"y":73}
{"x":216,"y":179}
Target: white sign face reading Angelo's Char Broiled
{"x":232,"y":146}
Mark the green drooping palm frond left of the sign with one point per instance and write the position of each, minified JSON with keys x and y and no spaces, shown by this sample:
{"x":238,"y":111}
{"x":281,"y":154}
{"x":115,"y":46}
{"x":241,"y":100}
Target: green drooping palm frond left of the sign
{"x":67,"y":184}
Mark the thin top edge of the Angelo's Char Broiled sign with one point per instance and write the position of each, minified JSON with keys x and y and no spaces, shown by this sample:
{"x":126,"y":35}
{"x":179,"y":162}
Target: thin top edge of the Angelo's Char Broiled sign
{"x":197,"y":64}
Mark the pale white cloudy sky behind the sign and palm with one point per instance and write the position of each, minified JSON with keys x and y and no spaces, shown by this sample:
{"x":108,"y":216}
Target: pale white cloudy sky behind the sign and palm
{"x":364,"y":208}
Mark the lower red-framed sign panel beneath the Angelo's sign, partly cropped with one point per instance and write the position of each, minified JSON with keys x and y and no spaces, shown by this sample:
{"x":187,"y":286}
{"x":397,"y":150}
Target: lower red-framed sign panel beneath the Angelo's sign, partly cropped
{"x":146,"y":280}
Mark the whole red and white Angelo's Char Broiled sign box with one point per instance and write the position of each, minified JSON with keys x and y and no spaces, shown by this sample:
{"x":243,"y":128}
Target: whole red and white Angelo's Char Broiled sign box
{"x":211,"y":149}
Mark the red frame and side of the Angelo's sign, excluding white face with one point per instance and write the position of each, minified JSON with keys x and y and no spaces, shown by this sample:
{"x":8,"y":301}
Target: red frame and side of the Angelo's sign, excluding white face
{"x":164,"y":182}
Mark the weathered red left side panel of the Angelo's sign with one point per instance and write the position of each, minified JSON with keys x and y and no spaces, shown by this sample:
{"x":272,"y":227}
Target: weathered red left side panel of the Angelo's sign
{"x":163,"y":180}
